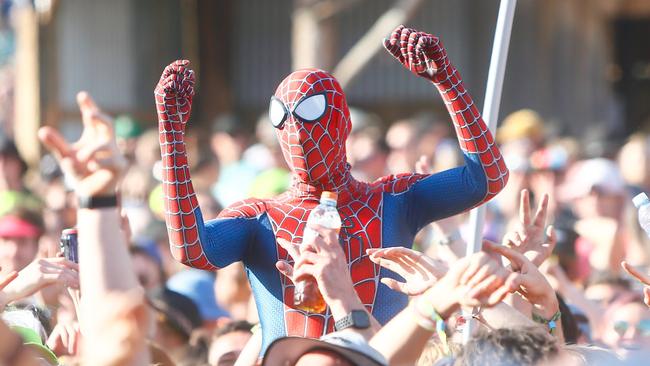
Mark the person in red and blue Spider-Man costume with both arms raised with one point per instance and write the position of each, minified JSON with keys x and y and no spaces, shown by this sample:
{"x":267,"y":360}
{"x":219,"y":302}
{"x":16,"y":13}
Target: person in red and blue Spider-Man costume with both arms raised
{"x":312,"y":121}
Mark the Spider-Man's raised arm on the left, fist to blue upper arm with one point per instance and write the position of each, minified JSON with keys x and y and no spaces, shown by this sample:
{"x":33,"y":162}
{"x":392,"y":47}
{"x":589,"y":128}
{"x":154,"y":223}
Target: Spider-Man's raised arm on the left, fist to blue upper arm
{"x":193,"y":243}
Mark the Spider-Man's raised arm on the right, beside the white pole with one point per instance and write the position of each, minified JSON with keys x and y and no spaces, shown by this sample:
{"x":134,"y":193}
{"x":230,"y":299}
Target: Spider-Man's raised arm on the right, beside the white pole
{"x":485,"y":173}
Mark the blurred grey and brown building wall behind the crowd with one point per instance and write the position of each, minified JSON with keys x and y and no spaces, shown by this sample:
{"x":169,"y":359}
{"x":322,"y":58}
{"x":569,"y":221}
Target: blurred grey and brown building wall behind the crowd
{"x":583,"y":64}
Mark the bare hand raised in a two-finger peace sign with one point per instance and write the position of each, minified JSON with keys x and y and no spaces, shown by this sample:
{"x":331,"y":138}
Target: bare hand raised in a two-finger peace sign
{"x":532,"y":238}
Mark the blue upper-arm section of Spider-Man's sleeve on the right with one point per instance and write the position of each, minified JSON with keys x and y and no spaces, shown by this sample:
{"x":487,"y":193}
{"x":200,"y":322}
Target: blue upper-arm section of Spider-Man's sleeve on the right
{"x":446,"y":193}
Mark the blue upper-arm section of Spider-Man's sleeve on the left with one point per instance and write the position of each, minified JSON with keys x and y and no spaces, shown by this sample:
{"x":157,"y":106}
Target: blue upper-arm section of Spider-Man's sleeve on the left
{"x":225,"y":240}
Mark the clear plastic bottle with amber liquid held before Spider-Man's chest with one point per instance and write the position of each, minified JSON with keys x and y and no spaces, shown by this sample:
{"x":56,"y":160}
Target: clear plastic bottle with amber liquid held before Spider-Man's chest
{"x":306,"y":295}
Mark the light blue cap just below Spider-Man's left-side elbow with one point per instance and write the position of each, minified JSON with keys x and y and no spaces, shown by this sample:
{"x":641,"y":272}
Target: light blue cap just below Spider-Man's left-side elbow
{"x":198,"y":285}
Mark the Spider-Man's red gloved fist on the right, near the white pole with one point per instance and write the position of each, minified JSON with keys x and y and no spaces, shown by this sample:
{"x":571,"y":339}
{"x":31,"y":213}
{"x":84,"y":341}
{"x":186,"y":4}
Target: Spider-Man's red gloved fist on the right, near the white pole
{"x":421,"y":53}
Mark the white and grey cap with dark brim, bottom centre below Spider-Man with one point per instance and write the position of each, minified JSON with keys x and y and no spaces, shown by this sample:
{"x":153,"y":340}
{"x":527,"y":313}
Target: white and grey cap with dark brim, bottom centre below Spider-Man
{"x":352,"y":346}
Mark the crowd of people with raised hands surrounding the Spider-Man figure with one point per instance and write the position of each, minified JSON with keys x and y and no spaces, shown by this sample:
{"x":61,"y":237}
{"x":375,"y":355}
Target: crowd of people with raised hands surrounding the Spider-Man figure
{"x":561,"y":278}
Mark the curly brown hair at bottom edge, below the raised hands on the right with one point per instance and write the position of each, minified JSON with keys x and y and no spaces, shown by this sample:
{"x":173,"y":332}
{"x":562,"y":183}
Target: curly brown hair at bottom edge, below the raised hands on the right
{"x":508,"y":347}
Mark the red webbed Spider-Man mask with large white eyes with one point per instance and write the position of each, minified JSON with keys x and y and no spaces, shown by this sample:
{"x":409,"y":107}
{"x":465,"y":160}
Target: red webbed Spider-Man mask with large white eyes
{"x":312,"y":122}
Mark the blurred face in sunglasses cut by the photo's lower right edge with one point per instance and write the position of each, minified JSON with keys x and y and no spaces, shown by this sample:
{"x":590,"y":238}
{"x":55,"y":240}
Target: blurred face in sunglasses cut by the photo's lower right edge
{"x":629,"y":327}
